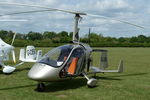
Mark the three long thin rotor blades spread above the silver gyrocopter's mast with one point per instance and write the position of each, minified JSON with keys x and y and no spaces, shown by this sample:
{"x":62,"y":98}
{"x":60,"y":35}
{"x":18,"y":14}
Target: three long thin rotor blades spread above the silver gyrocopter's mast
{"x":62,"y":10}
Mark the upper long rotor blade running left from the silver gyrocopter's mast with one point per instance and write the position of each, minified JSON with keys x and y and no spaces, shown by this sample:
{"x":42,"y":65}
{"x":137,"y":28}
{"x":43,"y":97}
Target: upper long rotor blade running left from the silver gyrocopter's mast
{"x":38,"y":6}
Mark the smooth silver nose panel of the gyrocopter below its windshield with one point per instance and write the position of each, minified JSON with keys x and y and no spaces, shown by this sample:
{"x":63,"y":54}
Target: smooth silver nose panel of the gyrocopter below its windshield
{"x":44,"y":73}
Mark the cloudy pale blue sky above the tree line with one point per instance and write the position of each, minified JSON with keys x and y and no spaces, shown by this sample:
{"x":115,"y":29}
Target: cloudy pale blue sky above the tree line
{"x":133,"y":11}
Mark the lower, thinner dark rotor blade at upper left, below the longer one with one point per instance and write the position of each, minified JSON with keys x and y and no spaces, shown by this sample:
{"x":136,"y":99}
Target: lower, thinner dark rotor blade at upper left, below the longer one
{"x":15,"y":13}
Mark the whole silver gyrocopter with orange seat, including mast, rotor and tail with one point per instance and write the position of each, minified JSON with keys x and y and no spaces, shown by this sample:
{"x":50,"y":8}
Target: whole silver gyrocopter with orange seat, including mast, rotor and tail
{"x":71,"y":60}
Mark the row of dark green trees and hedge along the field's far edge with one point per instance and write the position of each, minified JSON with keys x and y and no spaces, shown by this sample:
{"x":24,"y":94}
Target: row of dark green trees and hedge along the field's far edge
{"x":52,"y":39}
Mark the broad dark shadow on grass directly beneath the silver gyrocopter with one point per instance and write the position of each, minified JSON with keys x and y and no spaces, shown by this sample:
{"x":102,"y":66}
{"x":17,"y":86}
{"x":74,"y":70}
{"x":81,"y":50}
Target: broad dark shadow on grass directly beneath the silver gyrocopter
{"x":65,"y":85}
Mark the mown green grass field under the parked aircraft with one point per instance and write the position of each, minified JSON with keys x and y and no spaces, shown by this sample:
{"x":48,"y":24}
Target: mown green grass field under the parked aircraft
{"x":133,"y":84}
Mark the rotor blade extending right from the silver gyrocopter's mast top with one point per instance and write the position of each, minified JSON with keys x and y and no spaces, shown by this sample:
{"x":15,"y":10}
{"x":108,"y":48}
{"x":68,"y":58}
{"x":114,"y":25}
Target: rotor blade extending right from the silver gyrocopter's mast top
{"x":125,"y":22}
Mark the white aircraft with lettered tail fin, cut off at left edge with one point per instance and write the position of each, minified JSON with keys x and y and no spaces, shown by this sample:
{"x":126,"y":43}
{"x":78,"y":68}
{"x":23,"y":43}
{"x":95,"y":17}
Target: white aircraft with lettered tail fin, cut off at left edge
{"x":6,"y":49}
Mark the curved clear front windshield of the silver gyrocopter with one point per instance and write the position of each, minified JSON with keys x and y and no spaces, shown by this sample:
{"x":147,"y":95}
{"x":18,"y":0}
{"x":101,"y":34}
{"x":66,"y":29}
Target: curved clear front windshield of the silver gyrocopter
{"x":56,"y":57}
